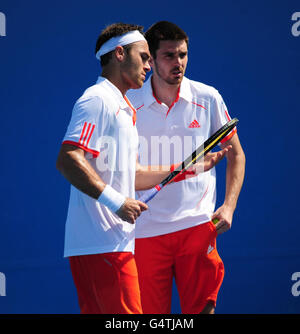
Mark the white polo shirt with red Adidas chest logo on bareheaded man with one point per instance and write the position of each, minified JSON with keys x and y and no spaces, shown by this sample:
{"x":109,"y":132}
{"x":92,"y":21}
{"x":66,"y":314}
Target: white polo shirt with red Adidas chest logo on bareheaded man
{"x":168,"y":136}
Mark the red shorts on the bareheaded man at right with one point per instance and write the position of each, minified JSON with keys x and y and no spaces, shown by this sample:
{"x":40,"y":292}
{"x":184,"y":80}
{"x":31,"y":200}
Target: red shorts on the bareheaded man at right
{"x":189,"y":255}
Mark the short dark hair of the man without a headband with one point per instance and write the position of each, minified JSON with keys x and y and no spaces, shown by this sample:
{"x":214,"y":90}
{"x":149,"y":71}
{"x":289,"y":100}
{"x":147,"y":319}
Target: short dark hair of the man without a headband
{"x":164,"y":31}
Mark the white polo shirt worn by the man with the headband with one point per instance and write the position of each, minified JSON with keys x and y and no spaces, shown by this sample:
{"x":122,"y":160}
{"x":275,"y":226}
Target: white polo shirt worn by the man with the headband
{"x":103,"y":125}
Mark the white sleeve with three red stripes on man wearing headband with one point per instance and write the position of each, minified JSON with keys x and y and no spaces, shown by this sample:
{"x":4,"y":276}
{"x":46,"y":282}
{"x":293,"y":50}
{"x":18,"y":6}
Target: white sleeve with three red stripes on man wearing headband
{"x":89,"y":122}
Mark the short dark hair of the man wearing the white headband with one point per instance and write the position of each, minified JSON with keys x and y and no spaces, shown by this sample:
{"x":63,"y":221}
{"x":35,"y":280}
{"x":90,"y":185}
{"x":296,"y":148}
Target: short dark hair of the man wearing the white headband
{"x":113,"y":30}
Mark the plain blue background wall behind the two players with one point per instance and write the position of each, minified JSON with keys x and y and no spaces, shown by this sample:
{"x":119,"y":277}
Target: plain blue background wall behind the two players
{"x":243,"y":48}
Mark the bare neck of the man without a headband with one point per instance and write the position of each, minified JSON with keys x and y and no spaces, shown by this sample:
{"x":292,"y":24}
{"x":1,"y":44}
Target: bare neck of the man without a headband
{"x":163,"y":91}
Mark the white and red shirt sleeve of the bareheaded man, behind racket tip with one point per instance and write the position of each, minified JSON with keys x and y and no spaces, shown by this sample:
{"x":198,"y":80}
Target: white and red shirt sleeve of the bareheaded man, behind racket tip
{"x":220,"y":116}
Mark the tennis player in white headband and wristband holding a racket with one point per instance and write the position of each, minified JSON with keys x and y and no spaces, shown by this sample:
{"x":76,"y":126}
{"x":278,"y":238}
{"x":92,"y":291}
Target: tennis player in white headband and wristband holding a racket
{"x":100,"y":236}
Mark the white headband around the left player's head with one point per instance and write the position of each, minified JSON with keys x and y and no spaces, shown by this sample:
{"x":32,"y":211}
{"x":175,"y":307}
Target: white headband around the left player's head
{"x":111,"y":44}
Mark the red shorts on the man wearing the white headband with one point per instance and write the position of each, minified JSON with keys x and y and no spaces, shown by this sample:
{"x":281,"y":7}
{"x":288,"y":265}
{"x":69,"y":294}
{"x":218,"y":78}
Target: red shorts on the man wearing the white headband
{"x":107,"y":283}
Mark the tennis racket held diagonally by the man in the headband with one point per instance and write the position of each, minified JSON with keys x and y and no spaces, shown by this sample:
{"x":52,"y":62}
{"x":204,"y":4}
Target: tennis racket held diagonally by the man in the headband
{"x":199,"y":153}
